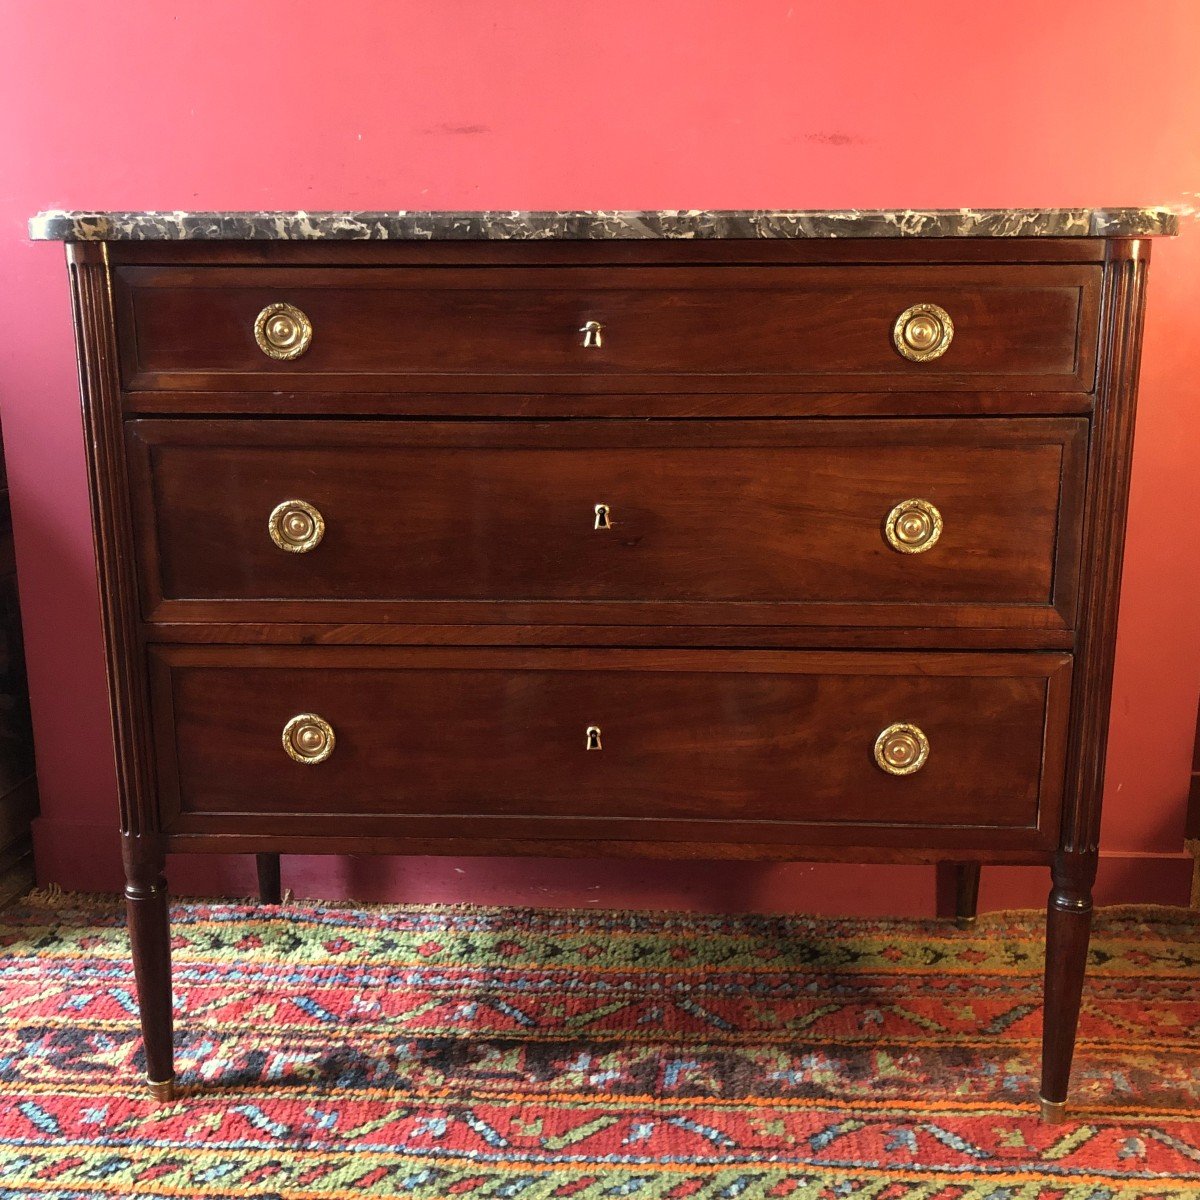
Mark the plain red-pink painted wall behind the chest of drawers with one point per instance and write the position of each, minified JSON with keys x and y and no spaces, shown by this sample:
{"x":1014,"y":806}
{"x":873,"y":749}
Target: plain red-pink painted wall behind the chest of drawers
{"x":542,"y":105}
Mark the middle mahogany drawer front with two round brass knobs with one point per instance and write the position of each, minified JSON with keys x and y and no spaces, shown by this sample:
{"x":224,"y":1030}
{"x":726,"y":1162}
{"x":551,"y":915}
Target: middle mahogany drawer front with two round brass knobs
{"x":619,"y":524}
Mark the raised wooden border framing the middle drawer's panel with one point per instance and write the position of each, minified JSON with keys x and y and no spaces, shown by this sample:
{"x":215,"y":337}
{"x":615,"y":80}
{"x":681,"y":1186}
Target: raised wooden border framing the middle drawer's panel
{"x":1069,"y":435}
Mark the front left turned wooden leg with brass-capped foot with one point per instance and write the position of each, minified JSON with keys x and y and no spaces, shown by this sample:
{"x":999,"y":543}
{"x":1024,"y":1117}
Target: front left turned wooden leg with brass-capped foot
{"x":146,"y":904}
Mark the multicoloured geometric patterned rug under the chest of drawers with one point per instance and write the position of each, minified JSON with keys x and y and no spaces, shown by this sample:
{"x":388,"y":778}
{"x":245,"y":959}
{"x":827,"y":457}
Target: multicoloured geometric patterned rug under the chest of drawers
{"x":460,"y":1053}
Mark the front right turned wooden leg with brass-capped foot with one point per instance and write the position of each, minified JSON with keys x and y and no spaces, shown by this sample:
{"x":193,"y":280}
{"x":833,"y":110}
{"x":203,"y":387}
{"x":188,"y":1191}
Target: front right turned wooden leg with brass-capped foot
{"x":1069,"y":928}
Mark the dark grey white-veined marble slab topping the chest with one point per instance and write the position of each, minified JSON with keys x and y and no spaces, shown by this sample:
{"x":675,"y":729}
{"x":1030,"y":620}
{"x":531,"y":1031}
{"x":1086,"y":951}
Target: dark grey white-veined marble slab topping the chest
{"x":569,"y":226}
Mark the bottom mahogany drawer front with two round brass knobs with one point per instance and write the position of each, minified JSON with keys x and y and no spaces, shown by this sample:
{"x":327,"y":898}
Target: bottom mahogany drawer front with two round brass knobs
{"x":737,"y":747}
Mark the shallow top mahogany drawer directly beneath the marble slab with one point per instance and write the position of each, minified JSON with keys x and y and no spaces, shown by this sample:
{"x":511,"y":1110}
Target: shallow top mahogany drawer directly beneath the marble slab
{"x":613,"y":329}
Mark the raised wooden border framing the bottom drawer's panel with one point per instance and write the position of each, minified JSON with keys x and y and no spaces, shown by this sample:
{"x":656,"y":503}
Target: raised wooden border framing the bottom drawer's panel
{"x":1054,"y":669}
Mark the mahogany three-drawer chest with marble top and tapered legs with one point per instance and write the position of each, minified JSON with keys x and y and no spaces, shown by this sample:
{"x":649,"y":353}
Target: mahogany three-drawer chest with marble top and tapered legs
{"x":599,"y":535}
